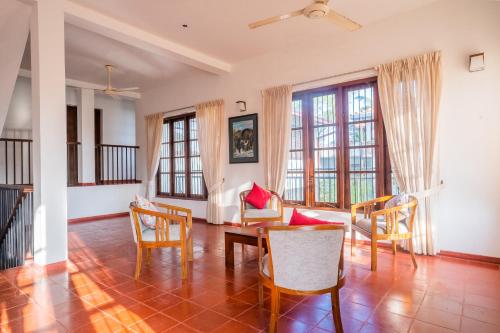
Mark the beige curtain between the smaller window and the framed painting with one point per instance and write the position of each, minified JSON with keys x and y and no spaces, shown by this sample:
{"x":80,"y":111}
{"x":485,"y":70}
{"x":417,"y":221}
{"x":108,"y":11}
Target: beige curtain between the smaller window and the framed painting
{"x":210,"y":118}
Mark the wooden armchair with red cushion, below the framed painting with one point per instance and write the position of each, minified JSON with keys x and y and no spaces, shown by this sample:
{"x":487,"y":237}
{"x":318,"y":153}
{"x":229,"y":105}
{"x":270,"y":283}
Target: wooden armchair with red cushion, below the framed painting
{"x":272,"y":213}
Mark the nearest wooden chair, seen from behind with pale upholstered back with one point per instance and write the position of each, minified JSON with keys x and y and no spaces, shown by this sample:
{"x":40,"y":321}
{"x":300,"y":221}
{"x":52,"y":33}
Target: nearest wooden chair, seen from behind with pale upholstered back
{"x":302,"y":260}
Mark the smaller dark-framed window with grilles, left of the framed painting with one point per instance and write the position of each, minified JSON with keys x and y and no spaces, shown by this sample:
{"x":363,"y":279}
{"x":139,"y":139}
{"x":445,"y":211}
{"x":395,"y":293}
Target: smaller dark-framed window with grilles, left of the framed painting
{"x":180,"y":173}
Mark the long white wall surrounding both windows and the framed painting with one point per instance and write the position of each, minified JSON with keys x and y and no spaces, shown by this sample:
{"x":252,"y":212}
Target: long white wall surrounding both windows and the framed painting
{"x":470,"y":111}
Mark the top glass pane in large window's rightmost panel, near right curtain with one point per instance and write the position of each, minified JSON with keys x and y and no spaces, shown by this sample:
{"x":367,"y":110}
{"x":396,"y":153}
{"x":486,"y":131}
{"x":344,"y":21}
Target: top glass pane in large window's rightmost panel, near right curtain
{"x":360,"y":104}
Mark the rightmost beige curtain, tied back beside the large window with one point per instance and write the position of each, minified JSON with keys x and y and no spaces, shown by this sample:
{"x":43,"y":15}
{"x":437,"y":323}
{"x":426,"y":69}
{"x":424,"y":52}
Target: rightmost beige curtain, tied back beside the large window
{"x":409,"y":91}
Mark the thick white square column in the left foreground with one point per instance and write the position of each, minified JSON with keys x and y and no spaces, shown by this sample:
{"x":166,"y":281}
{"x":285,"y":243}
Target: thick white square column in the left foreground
{"x":49,"y":132}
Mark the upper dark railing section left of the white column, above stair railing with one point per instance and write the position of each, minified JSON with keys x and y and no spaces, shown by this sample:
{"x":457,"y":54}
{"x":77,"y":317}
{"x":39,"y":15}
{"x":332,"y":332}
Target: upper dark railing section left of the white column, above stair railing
{"x":16,"y":161}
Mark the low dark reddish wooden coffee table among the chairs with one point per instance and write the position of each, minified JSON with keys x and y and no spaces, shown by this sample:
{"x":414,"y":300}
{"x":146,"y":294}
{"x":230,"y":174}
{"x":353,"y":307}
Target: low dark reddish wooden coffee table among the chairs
{"x":245,"y":235}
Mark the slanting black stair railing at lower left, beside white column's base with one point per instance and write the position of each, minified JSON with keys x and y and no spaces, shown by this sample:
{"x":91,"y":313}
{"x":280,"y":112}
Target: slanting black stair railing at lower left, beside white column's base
{"x":16,"y":225}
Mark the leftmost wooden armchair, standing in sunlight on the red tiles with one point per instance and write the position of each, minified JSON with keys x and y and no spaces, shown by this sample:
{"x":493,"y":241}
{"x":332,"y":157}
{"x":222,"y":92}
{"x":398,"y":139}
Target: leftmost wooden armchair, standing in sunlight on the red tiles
{"x":173,"y":229}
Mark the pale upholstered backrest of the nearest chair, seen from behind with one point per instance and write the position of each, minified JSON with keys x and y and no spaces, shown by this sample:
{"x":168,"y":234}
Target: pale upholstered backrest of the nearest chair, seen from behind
{"x":306,"y":258}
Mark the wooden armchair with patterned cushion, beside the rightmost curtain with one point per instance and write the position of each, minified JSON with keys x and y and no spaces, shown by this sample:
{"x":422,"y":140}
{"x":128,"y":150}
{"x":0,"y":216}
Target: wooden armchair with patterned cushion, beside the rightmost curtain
{"x":381,"y":224}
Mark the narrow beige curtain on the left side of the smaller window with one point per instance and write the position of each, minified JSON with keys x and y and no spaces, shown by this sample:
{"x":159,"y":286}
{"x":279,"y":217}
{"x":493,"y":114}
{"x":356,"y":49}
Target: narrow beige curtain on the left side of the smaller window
{"x":154,"y":129}
